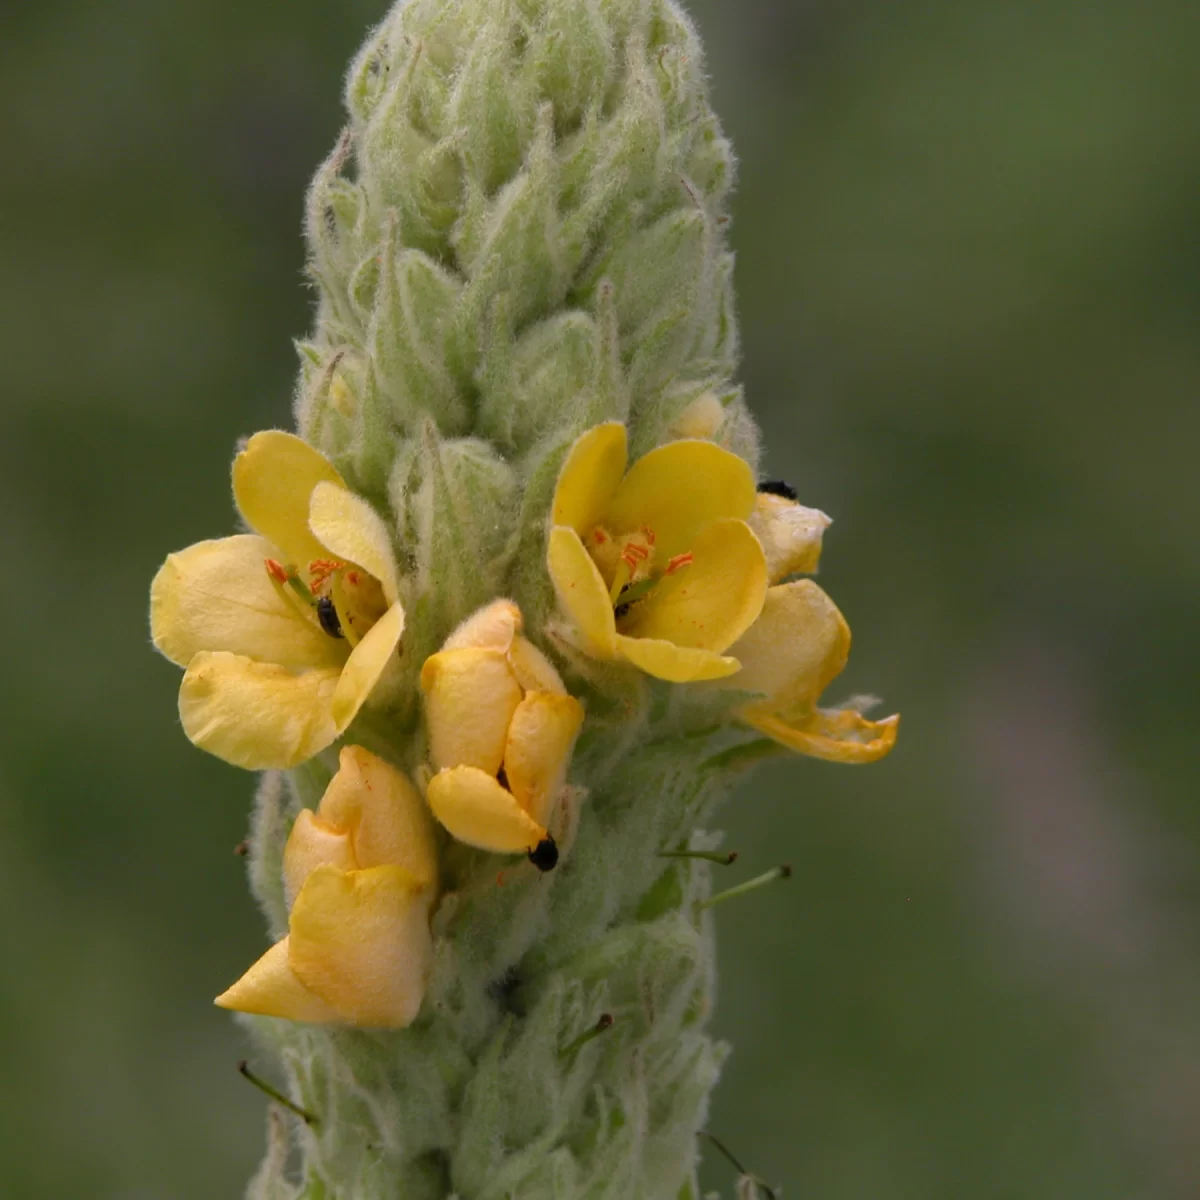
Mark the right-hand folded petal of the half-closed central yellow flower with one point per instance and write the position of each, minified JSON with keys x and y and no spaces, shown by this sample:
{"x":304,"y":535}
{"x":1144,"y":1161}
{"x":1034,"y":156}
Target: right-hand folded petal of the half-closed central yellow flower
{"x":539,"y":751}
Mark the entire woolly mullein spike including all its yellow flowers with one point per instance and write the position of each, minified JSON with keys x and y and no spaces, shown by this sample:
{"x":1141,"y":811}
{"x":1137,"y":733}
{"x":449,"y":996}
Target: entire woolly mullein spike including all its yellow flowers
{"x":520,"y":376}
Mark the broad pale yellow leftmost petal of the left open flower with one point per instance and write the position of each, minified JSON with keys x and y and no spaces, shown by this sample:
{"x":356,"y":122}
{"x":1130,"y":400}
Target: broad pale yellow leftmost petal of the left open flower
{"x":217,"y":596}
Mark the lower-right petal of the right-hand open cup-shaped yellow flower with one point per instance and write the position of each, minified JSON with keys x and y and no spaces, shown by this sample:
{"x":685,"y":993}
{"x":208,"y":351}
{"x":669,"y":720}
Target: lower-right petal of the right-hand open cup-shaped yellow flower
{"x":711,"y":603}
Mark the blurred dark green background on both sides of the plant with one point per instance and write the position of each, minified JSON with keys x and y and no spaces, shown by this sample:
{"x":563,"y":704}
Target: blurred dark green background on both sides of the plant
{"x":969,"y":245}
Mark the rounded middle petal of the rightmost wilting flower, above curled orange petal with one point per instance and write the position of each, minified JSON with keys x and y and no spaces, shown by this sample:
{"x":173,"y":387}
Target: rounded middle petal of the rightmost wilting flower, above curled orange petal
{"x":796,"y":649}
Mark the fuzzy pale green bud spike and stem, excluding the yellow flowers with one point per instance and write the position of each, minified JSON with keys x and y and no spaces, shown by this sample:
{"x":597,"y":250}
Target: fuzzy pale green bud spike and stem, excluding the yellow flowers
{"x":521,"y":235}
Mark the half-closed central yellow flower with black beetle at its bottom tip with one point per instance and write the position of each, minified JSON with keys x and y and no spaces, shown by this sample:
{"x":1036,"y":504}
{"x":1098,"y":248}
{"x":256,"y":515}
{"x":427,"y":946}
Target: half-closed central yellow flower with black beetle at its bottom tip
{"x":502,"y":729}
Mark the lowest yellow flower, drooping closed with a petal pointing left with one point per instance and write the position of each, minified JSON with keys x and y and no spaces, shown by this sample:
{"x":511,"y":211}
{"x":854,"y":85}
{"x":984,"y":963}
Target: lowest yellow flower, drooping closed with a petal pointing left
{"x":361,"y":878}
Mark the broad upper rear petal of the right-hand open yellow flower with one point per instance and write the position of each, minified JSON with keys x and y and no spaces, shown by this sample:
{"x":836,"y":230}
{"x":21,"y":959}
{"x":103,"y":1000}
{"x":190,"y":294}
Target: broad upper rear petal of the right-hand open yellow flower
{"x":677,"y":490}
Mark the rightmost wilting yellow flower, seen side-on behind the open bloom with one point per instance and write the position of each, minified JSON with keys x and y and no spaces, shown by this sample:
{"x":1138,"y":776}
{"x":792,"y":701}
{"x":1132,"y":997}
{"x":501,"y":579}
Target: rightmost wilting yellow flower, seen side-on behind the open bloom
{"x":800,"y":645}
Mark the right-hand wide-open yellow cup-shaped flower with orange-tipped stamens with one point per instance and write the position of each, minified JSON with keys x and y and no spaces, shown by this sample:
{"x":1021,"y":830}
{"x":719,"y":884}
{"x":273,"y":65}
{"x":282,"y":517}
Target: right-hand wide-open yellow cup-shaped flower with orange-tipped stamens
{"x":658,"y":566}
